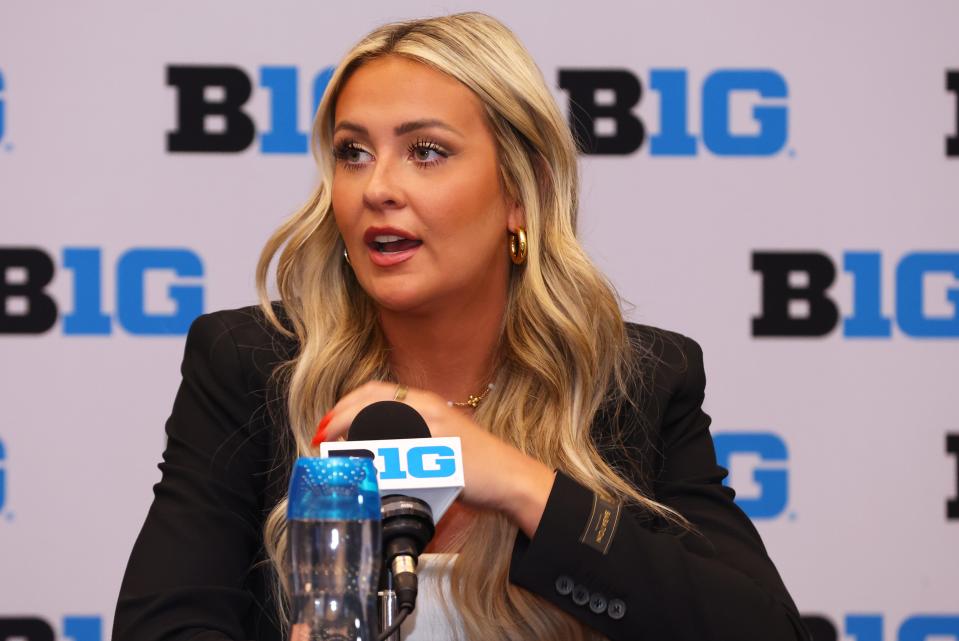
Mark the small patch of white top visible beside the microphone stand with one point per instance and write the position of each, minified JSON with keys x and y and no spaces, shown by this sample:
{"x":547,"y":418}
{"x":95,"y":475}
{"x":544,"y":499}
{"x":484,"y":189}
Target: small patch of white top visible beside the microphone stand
{"x":431,"y":621}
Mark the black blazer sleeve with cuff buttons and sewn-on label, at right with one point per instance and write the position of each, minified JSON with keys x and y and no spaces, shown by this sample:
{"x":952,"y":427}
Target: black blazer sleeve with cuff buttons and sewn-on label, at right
{"x":610,"y":568}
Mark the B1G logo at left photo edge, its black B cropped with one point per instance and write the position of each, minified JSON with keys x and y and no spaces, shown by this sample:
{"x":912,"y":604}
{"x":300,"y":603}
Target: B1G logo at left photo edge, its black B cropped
{"x":26,"y":307}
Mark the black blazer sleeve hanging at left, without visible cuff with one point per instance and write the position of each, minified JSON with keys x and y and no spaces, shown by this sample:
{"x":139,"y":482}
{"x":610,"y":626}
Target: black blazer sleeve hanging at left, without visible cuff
{"x":187,"y":572}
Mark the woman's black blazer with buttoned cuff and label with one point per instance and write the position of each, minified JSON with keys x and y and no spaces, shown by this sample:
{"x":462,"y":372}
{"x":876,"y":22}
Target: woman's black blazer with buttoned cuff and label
{"x":197,"y":570}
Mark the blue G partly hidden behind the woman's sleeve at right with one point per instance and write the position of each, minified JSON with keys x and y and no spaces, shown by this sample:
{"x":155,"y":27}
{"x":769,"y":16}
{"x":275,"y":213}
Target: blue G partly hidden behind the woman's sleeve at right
{"x":765,"y":493}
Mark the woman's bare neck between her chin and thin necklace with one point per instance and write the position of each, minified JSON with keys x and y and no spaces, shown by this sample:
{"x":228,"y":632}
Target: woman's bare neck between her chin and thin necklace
{"x":449,"y":351}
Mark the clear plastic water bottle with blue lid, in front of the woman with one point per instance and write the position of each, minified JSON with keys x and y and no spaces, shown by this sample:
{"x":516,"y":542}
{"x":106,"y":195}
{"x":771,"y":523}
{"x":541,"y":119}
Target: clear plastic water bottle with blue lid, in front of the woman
{"x":334,"y":548}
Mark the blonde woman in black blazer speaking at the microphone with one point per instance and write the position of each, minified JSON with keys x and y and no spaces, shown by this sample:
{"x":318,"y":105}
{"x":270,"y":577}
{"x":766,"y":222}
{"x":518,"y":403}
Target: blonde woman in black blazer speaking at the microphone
{"x":437,"y":263}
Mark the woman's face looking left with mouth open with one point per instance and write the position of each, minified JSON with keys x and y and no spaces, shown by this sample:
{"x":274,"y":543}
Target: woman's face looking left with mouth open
{"x":416,"y":190}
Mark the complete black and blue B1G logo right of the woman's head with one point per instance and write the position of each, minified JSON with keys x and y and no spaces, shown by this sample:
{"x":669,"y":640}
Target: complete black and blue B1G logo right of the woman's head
{"x":601,"y":104}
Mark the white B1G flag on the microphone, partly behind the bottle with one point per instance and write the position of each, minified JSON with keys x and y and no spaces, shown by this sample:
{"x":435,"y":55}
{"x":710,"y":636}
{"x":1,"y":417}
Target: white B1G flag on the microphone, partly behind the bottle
{"x":430,"y":469}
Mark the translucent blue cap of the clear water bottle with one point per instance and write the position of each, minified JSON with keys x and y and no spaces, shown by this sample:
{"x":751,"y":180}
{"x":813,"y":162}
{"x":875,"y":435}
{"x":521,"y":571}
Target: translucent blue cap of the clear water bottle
{"x":339,"y":488}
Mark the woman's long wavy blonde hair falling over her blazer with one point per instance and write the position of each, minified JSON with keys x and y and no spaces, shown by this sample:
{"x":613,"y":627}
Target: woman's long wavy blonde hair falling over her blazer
{"x":564,"y":349}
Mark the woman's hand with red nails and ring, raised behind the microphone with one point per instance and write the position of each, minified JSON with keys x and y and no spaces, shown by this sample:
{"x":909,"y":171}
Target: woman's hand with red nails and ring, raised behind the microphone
{"x":497,"y":476}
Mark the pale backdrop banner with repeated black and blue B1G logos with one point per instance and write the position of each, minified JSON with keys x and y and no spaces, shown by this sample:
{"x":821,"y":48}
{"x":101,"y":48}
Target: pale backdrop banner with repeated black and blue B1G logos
{"x":779,"y":181}
